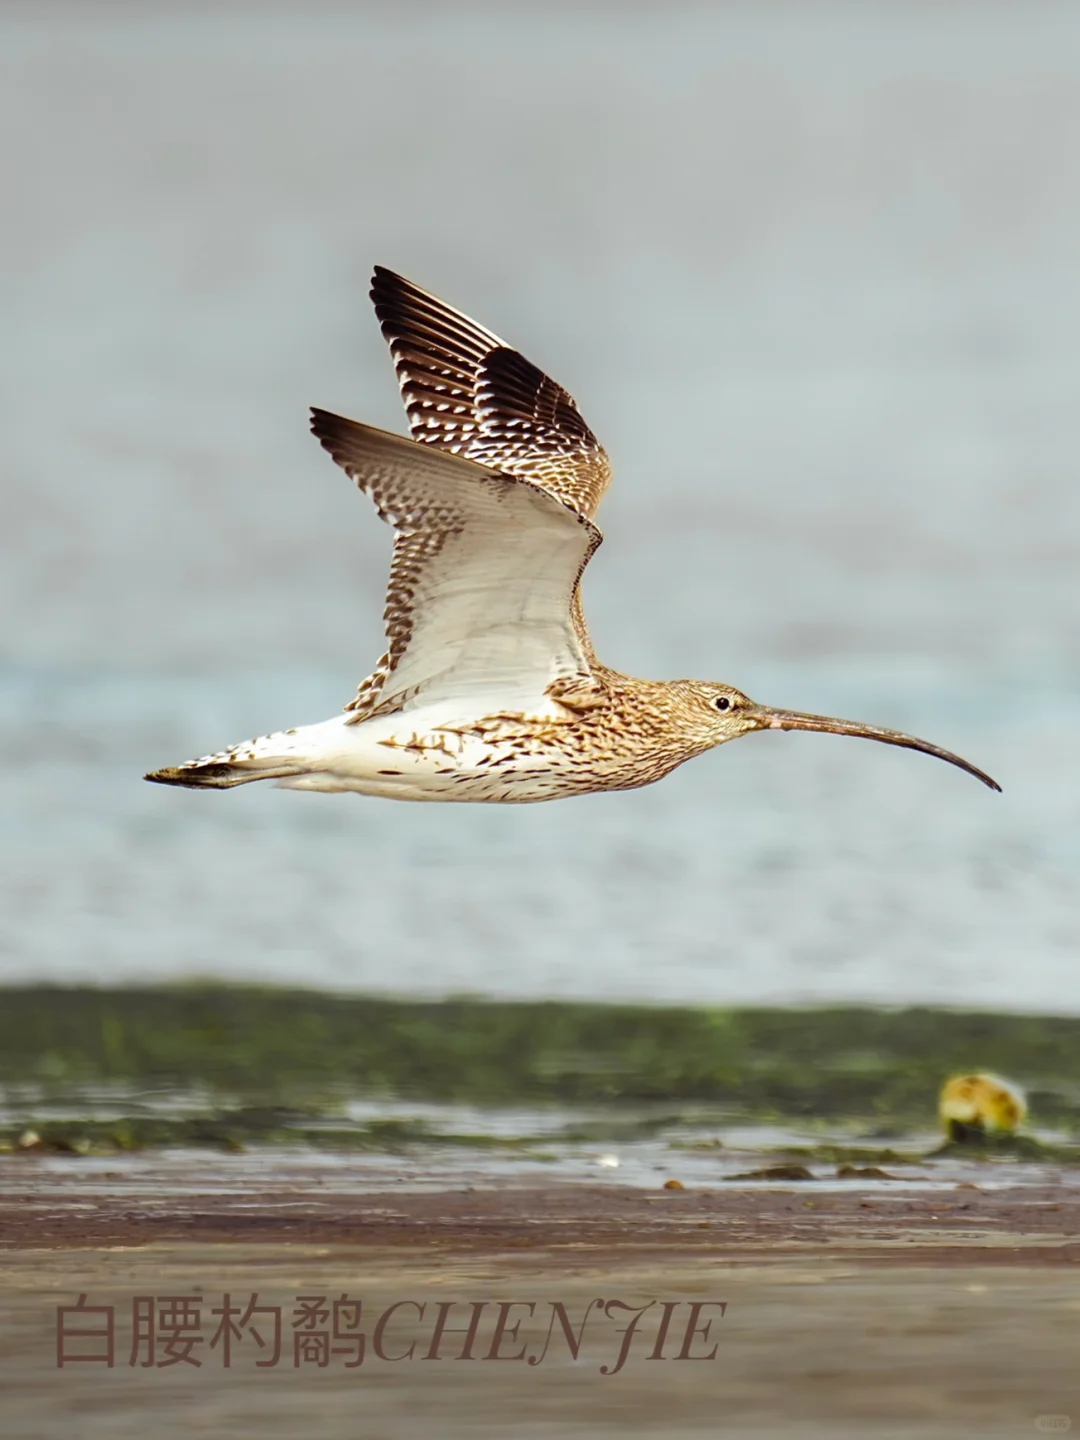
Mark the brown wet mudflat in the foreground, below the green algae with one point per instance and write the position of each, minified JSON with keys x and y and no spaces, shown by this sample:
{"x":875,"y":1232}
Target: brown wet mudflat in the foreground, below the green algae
{"x":918,"y":1307}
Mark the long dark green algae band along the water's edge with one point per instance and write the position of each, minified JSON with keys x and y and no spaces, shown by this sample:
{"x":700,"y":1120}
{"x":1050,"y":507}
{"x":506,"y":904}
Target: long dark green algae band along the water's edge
{"x":280,"y":1048}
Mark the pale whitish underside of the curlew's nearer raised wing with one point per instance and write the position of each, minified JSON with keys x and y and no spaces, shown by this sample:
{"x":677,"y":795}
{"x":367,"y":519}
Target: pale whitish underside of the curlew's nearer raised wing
{"x":483,"y":575}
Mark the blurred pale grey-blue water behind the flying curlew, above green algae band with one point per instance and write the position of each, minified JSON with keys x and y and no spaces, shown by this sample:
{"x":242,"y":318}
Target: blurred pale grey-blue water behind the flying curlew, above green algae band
{"x":811,"y":271}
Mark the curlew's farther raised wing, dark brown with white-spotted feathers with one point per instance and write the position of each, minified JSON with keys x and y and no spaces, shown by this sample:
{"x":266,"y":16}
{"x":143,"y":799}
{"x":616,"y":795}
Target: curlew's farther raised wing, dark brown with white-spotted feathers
{"x":470,"y":394}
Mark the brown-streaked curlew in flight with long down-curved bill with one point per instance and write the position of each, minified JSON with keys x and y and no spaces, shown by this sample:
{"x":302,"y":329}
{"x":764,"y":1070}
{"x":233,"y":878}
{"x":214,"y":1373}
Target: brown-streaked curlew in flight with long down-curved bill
{"x":490,"y":688}
